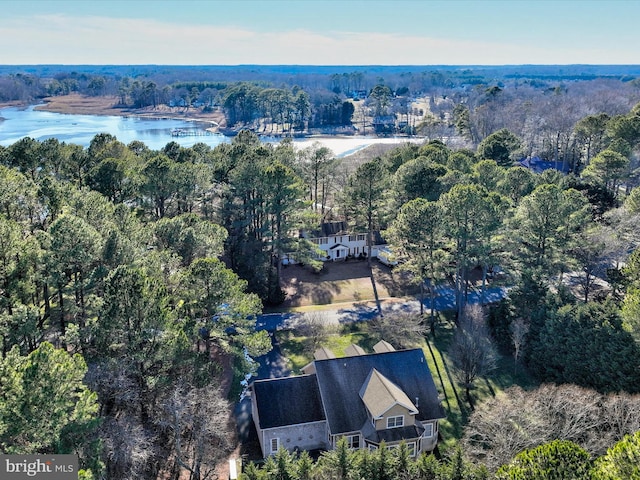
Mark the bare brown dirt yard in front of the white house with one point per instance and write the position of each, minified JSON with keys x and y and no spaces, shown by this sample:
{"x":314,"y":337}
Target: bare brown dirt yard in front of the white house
{"x":341,"y":282}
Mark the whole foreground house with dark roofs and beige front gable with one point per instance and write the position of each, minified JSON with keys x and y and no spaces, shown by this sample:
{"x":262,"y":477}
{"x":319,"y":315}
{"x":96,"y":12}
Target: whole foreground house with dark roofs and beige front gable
{"x":387,"y":397}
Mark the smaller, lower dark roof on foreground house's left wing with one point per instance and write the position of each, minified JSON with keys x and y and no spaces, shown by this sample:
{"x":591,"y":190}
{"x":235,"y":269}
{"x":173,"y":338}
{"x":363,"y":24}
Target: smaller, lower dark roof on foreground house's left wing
{"x":288,"y":401}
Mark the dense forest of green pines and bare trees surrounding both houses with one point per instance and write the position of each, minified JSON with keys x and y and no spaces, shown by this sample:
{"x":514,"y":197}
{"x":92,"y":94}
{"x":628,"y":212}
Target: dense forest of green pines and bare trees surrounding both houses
{"x":131,"y":278}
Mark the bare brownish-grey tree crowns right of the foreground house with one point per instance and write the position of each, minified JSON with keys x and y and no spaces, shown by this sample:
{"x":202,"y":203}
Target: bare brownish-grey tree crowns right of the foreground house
{"x":516,"y":420}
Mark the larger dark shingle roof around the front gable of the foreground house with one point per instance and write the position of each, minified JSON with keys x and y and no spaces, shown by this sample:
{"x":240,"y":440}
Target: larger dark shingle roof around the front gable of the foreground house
{"x":340,"y":380}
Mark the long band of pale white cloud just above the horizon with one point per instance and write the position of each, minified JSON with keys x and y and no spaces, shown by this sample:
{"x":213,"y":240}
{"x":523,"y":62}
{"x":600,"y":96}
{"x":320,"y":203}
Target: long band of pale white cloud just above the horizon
{"x":101,"y":40}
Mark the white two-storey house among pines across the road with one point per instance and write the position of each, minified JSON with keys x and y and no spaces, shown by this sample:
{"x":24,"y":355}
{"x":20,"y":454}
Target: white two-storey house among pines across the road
{"x":337,"y":243}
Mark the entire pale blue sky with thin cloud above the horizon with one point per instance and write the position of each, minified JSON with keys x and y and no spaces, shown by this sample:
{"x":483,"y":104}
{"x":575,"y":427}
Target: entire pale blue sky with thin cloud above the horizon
{"x":312,"y":32}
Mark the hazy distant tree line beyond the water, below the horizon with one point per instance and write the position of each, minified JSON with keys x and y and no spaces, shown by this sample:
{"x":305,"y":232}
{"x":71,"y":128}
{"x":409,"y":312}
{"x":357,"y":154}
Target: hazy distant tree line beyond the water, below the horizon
{"x":541,"y":106}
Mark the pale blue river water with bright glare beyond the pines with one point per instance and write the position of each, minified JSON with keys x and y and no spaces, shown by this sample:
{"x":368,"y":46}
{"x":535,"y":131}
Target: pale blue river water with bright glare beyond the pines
{"x":17,"y":123}
